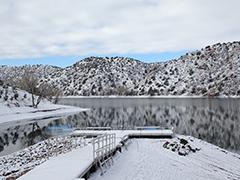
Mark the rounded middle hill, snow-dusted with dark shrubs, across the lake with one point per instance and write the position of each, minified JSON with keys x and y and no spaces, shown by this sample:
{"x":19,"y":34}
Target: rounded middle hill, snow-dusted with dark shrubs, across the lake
{"x":100,"y":76}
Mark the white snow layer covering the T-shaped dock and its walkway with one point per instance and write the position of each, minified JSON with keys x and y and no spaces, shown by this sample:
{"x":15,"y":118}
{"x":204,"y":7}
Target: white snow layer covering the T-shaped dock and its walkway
{"x":78,"y":162}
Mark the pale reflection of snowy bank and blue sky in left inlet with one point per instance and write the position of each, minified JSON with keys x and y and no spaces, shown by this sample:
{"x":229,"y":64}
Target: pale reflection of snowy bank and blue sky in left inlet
{"x":15,"y":137}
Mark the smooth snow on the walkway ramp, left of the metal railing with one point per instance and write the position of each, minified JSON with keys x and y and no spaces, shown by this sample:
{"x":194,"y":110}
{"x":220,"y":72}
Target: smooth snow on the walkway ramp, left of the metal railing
{"x":62,"y":167}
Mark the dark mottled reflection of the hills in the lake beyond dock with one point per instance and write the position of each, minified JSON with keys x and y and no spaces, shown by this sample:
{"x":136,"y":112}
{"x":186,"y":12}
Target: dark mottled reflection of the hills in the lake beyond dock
{"x":214,"y":120}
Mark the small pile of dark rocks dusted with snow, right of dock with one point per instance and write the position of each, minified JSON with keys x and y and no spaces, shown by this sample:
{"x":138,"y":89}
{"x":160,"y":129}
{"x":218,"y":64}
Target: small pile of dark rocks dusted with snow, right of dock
{"x":181,"y":146}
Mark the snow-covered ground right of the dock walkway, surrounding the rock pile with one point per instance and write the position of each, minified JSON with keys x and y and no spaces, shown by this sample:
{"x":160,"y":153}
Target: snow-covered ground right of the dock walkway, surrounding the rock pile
{"x":148,"y":159}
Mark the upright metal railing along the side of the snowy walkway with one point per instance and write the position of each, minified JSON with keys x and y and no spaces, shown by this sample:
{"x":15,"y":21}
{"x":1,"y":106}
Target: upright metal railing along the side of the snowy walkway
{"x":103,"y":146}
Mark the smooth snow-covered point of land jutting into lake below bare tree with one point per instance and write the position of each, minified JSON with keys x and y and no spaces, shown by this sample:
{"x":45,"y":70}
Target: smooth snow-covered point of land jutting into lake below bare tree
{"x":15,"y":105}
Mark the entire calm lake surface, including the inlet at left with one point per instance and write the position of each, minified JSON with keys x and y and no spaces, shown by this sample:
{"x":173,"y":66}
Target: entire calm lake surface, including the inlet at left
{"x":213,"y":120}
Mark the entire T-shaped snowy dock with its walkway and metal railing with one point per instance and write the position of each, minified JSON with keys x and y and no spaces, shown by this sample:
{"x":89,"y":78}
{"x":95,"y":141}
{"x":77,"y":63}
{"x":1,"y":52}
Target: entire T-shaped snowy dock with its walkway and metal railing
{"x":80,"y":162}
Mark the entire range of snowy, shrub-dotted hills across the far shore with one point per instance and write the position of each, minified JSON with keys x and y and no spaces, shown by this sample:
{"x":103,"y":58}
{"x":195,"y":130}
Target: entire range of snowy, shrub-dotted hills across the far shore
{"x":211,"y":71}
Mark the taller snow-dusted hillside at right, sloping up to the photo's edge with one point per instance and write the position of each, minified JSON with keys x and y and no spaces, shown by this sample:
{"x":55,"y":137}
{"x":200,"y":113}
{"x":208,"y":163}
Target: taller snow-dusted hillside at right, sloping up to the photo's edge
{"x":213,"y":71}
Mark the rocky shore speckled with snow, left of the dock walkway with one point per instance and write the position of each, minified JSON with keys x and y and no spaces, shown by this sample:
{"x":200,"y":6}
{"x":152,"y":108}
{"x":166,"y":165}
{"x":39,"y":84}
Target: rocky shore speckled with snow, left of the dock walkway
{"x":18,"y":163}
